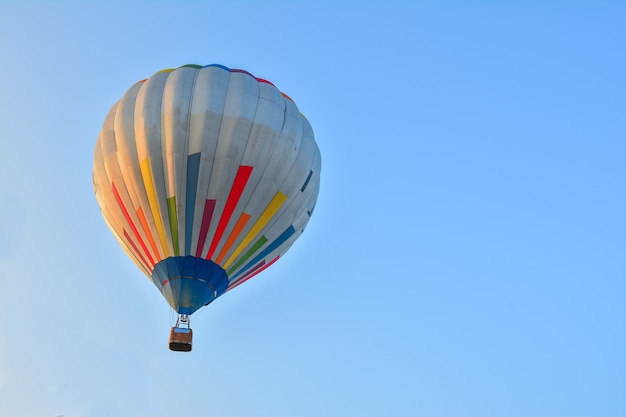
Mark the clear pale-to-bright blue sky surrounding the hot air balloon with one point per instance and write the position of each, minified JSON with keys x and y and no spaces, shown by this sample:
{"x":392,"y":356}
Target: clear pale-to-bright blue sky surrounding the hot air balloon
{"x":467,"y":255}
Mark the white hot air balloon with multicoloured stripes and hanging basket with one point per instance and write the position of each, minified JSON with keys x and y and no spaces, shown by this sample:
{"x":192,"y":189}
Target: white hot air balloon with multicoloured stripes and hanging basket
{"x":206,"y":176}
